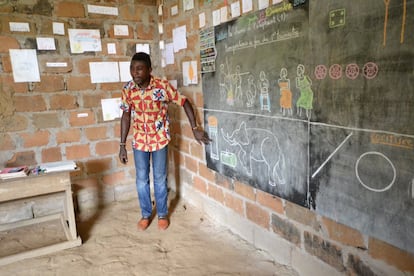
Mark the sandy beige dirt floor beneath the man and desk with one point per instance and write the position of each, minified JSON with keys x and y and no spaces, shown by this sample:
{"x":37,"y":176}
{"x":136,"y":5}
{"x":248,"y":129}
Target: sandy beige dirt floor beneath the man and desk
{"x":112,"y":245}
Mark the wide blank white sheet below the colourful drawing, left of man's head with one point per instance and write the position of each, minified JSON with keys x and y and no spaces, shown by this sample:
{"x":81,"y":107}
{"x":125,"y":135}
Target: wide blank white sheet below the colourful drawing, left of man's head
{"x":102,"y":72}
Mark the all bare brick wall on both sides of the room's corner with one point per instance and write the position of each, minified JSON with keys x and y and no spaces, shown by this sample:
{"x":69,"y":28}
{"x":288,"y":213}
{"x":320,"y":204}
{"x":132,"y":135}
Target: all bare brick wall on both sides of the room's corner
{"x":41,"y":124}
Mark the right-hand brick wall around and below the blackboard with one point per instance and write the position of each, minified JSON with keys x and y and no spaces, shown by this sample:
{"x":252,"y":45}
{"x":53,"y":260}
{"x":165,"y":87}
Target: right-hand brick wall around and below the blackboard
{"x":294,"y":235}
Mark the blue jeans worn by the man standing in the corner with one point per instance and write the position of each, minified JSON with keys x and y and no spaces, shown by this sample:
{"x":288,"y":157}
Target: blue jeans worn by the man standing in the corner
{"x":159,"y":170}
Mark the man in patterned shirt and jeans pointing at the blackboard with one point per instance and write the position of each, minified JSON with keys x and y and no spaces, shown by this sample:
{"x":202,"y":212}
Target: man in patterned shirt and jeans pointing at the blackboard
{"x":145,"y":100}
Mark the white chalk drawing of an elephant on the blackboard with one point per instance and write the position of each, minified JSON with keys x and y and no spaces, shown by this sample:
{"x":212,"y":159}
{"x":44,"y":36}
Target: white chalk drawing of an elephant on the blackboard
{"x":259,"y":145}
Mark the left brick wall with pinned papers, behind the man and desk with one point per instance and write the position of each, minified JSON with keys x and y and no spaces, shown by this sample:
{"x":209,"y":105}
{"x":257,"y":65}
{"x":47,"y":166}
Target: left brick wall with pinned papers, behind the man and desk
{"x":60,"y":117}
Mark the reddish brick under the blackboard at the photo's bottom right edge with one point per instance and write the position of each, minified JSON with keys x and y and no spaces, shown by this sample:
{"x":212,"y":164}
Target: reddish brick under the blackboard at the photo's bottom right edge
{"x":391,"y":255}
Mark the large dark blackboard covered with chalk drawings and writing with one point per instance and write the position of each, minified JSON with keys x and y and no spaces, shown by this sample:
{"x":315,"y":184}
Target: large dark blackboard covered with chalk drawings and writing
{"x":314,"y":104}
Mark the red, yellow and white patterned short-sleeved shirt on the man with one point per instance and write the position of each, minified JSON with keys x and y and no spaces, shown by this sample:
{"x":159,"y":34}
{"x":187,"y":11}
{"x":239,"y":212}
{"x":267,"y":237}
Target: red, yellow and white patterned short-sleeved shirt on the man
{"x":149,"y":109}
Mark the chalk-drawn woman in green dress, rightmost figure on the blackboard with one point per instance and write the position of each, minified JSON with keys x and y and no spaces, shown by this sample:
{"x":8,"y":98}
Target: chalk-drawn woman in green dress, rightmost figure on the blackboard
{"x":304,"y":83}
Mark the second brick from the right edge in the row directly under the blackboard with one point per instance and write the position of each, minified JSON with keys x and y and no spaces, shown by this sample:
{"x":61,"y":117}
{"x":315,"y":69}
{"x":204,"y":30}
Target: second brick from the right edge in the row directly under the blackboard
{"x":344,"y":234}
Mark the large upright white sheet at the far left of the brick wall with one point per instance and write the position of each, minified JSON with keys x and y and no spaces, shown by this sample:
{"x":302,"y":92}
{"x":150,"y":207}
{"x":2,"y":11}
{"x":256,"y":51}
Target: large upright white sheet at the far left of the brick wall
{"x":24,"y":65}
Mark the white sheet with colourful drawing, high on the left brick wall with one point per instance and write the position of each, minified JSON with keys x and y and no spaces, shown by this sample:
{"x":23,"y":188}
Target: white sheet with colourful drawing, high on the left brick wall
{"x":84,"y":40}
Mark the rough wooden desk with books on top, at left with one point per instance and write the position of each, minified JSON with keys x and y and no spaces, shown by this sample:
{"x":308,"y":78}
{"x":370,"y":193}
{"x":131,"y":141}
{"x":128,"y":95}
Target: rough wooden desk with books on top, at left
{"x":32,"y":186}
